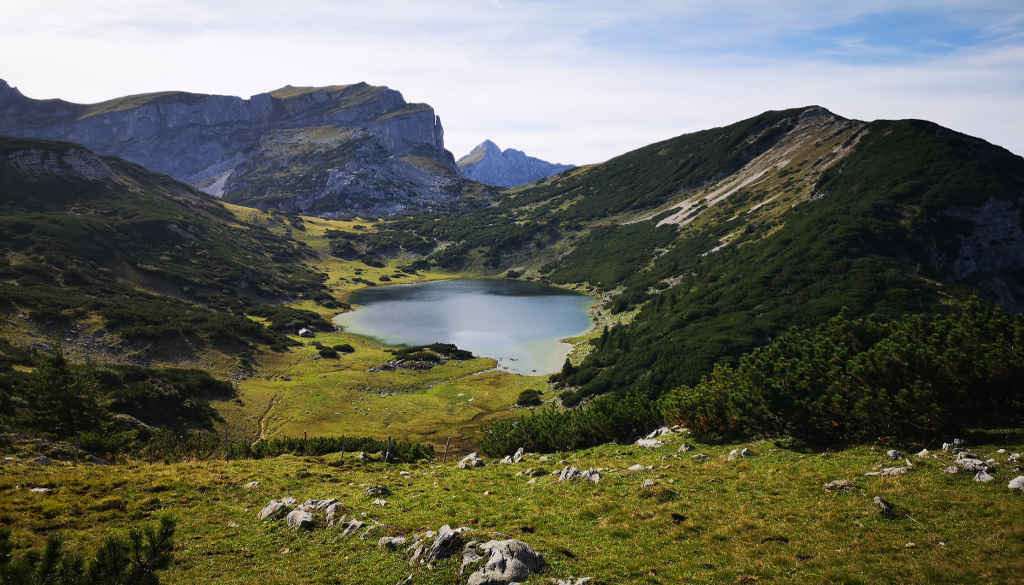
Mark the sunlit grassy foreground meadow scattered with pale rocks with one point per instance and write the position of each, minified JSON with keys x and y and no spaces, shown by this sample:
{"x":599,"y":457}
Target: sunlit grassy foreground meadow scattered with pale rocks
{"x":765,"y":519}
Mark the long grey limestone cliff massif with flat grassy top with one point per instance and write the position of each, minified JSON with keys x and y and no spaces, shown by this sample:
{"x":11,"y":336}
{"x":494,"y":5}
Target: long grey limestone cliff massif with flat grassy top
{"x":333,"y":151}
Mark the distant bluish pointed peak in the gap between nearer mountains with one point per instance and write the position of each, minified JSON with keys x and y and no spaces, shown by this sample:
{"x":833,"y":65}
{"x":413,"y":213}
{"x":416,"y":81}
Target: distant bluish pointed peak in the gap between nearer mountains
{"x":490,"y":165}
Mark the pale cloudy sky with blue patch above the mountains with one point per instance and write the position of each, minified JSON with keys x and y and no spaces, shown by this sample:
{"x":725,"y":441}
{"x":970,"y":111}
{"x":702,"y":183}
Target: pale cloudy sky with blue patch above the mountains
{"x":570,"y":82}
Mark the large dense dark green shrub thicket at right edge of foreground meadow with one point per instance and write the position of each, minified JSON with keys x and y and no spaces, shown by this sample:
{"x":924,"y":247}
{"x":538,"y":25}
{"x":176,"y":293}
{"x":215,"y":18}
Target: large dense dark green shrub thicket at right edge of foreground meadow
{"x":919,"y":378}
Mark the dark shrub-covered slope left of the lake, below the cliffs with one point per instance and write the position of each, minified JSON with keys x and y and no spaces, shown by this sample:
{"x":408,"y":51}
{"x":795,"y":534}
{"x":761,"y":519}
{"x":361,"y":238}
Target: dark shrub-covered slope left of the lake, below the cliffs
{"x":102,"y":253}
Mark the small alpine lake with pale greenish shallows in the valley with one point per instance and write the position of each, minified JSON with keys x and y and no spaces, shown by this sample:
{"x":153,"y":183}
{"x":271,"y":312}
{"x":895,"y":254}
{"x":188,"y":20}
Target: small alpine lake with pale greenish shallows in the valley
{"x":520,"y":324}
